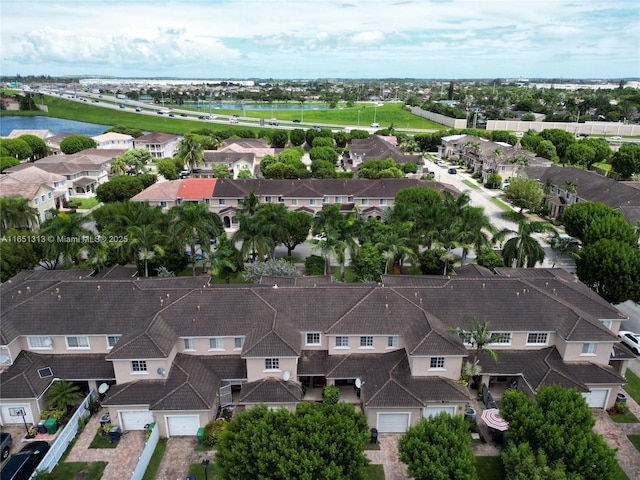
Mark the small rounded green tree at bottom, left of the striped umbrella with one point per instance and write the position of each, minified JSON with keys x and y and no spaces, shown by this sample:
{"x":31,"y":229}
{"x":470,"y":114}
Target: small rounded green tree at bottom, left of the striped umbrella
{"x":438,"y":448}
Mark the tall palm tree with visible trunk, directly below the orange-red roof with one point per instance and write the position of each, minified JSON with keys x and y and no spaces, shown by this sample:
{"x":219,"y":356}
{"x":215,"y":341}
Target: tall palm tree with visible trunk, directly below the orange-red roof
{"x":192,"y":222}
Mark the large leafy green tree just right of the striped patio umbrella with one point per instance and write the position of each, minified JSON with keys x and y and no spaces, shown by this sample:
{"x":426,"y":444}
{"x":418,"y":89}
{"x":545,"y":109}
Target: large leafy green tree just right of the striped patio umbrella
{"x":557,"y":424}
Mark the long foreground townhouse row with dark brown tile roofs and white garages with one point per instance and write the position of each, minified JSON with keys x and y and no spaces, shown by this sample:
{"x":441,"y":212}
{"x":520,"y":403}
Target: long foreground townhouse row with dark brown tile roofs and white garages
{"x":176,"y":350}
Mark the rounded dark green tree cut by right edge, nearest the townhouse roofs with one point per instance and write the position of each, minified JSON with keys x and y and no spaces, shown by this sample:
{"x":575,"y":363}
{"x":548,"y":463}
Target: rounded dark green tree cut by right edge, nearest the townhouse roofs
{"x":612,"y":269}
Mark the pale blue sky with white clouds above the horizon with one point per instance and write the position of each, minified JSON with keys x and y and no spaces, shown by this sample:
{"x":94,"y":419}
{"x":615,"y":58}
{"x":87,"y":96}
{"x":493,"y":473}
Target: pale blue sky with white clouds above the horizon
{"x":307,"y":39}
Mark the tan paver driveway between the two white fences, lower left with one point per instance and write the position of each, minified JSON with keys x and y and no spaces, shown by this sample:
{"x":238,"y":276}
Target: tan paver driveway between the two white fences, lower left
{"x":121,"y":461}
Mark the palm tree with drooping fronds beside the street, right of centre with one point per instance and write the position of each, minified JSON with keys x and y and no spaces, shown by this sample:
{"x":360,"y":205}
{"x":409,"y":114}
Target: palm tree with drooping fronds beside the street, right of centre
{"x":522,"y":249}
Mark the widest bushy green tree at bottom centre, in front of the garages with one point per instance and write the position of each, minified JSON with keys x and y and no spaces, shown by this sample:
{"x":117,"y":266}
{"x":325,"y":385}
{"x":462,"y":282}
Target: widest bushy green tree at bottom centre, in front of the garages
{"x":317,"y":441}
